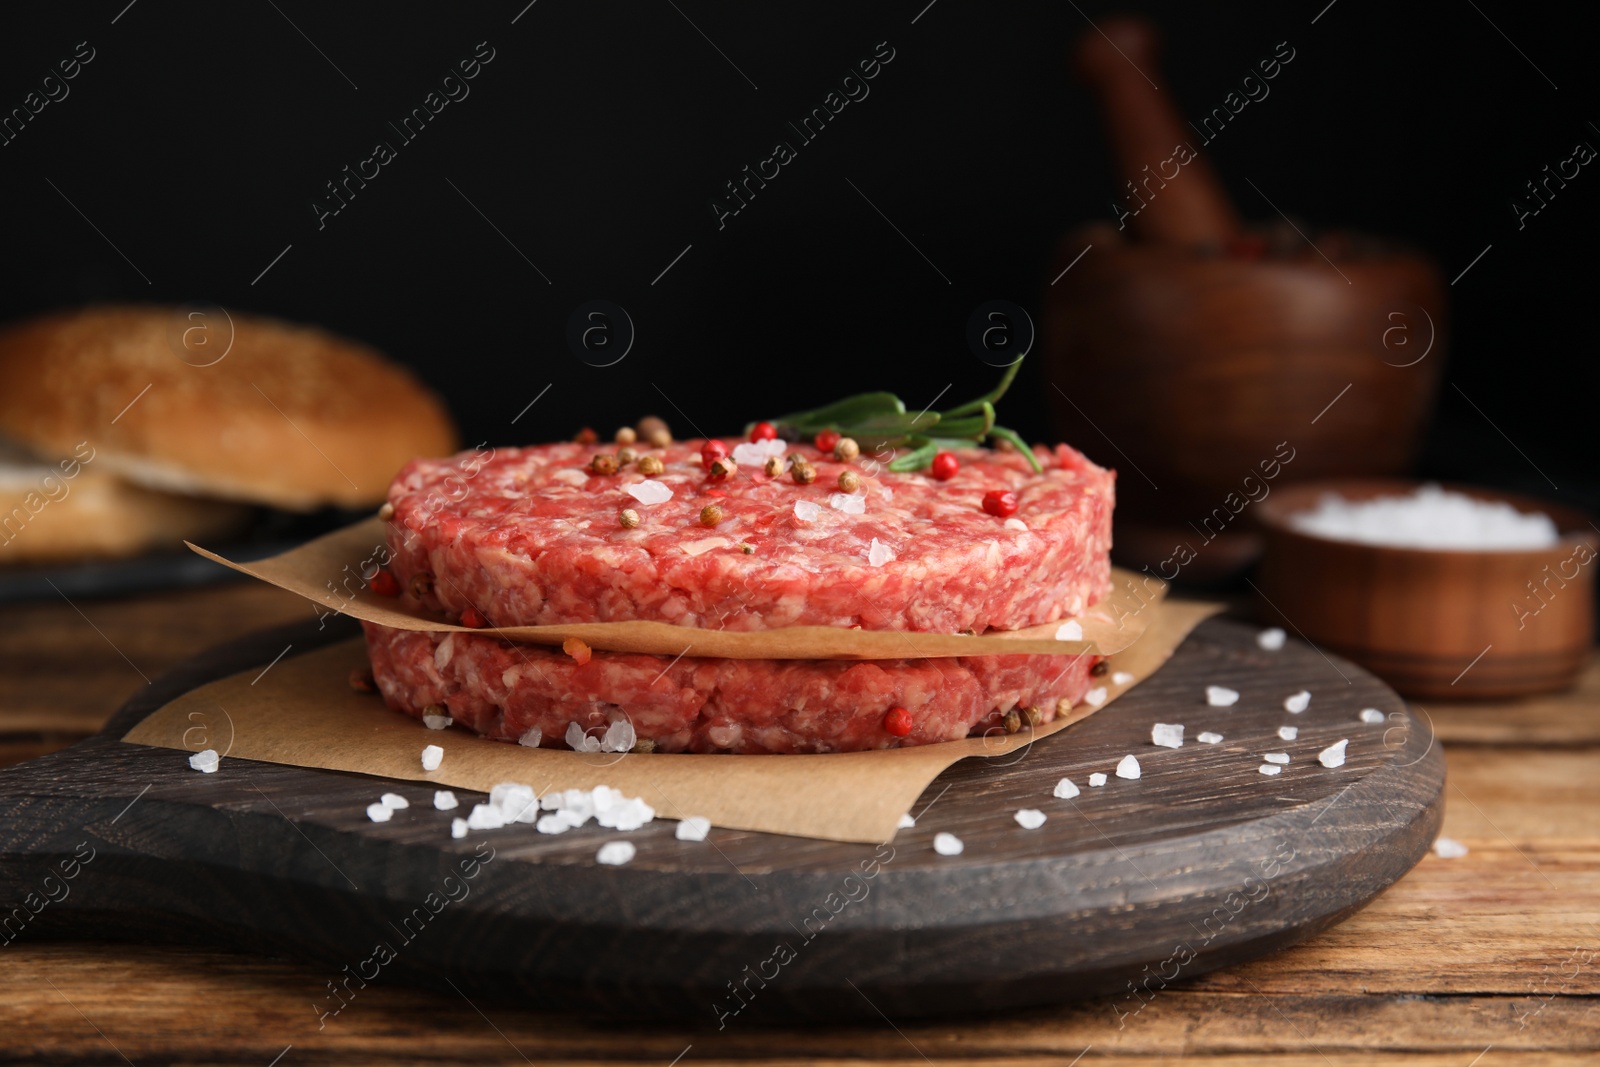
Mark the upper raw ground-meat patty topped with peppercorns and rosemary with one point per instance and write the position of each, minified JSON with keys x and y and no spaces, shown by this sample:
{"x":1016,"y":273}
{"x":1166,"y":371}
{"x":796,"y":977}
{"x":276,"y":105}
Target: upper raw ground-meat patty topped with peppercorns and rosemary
{"x":529,"y":537}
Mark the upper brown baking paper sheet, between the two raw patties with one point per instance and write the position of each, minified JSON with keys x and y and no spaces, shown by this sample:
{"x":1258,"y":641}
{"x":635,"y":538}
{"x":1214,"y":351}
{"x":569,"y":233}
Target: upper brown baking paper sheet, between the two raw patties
{"x":329,"y":572}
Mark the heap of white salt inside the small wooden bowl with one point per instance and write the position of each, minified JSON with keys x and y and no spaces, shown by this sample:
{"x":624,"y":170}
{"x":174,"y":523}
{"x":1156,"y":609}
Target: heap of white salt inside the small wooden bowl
{"x":1428,"y":519}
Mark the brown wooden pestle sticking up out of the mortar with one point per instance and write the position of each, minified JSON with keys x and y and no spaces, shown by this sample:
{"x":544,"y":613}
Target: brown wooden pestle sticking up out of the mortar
{"x":1119,"y":63}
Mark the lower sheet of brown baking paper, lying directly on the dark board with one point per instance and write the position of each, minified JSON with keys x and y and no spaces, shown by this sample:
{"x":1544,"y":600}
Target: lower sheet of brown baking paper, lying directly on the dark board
{"x":303,"y":713}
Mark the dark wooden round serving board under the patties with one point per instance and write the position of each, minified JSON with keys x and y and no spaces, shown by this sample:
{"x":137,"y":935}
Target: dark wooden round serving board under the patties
{"x":1126,"y":889}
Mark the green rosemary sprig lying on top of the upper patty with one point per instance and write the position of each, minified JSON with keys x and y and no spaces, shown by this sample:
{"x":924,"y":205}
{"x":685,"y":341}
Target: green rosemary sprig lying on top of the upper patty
{"x":879,"y":418}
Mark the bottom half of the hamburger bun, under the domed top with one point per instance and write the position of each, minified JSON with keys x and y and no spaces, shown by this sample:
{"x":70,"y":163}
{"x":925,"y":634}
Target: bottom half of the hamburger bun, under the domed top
{"x":73,"y":511}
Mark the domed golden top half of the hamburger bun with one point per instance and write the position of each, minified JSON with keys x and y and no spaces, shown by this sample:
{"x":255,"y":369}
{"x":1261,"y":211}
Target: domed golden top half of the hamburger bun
{"x":218,"y":404}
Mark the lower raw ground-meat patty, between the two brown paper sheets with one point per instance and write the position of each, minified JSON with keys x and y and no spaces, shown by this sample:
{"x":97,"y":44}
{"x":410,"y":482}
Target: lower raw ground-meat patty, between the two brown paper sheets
{"x":505,"y":690}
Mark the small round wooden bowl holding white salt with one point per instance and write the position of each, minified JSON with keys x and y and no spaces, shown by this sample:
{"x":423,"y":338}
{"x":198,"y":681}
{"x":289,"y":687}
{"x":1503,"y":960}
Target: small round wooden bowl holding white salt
{"x":1434,"y":623}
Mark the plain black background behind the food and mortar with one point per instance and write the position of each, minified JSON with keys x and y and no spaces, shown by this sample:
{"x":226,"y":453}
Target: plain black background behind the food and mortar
{"x":199,"y":137}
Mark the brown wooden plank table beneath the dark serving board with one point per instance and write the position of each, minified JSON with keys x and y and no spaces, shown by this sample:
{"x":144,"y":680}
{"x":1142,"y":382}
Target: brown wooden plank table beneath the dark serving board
{"x":1490,"y":959}
